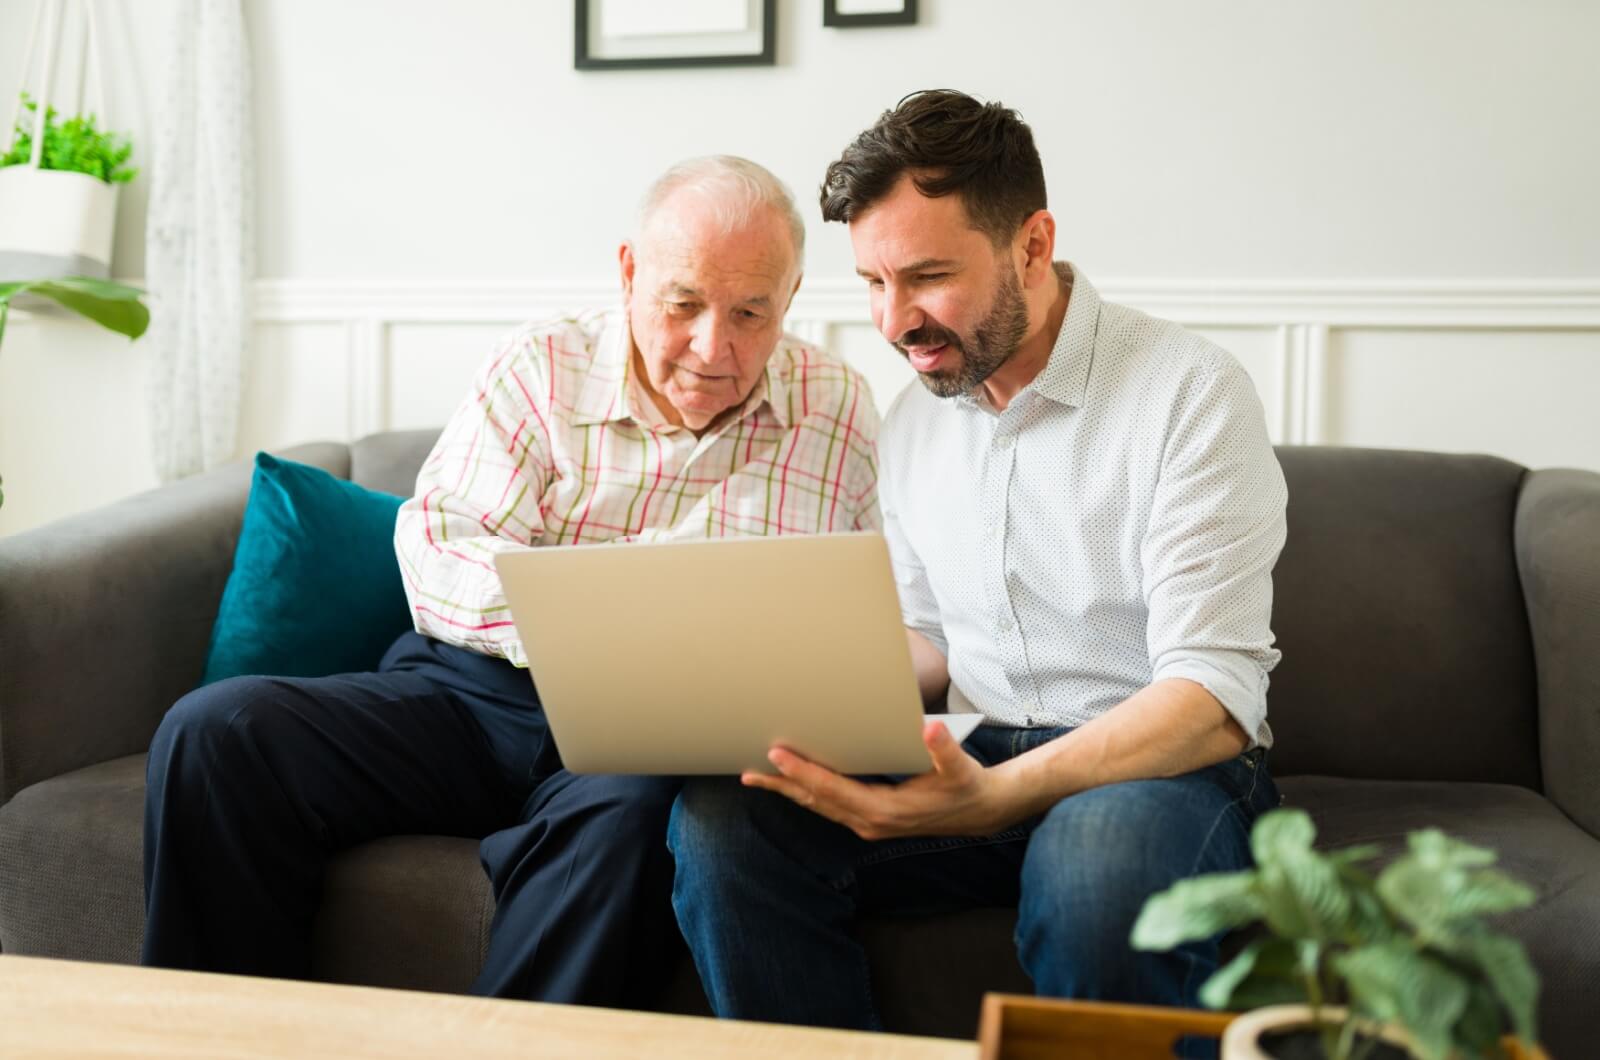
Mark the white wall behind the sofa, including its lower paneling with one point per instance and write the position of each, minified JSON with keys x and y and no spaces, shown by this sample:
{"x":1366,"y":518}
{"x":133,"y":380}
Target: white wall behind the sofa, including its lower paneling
{"x":1385,"y":209}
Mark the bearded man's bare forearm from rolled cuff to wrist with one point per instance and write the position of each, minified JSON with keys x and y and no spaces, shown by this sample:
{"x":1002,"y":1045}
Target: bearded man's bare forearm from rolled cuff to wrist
{"x":1167,"y":729}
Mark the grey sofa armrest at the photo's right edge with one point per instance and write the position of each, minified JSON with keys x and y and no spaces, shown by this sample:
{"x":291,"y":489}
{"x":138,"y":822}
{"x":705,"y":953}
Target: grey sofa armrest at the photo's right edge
{"x":1559,"y":558}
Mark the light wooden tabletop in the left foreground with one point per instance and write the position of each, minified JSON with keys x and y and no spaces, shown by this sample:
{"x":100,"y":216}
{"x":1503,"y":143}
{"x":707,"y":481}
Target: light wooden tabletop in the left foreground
{"x":74,"y":1010}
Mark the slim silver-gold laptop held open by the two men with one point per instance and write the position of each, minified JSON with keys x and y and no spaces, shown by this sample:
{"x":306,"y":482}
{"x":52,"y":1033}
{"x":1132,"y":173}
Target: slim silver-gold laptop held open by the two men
{"x":698,"y":657}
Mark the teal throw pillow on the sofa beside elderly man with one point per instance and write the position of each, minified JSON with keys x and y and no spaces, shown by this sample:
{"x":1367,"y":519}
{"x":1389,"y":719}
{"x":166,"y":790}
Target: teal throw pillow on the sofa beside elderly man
{"x":316,"y":587}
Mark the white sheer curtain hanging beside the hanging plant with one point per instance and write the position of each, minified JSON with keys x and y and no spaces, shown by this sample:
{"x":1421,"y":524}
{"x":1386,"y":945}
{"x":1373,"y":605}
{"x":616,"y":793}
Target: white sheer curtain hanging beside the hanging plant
{"x":201,"y":247}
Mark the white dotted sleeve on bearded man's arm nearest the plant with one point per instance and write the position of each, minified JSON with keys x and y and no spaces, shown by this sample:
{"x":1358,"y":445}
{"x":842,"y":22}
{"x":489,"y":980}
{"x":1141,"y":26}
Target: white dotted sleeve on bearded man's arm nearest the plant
{"x":1215,"y":534}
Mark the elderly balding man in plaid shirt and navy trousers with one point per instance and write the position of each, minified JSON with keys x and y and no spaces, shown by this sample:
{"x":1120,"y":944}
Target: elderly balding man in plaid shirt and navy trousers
{"x":686,"y":416}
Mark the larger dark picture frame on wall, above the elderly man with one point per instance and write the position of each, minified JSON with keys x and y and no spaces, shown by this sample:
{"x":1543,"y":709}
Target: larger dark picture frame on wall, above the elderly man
{"x":642,"y":34}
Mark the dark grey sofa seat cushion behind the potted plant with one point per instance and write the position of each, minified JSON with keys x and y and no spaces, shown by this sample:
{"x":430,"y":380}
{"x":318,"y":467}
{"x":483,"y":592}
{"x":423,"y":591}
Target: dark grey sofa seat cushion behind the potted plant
{"x":1537,"y":843}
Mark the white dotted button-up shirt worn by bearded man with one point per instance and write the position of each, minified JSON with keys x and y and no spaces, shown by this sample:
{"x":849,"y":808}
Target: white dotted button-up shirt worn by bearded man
{"x":1114,"y":526}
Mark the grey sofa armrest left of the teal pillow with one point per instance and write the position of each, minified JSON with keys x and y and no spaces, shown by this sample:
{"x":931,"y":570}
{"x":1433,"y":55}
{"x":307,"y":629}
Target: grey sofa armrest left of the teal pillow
{"x":106,"y":619}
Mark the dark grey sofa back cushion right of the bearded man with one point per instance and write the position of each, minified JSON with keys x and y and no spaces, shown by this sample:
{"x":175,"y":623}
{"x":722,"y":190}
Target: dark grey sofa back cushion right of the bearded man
{"x":1399,"y":611}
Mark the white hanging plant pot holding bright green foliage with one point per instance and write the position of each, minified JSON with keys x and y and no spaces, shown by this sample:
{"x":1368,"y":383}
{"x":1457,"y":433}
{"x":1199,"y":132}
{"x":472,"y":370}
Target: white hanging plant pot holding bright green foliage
{"x":55,"y":223}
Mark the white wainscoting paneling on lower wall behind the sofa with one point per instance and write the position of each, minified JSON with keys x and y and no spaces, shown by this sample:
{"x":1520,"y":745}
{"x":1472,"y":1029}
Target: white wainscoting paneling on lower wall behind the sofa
{"x":1335,"y":363}
